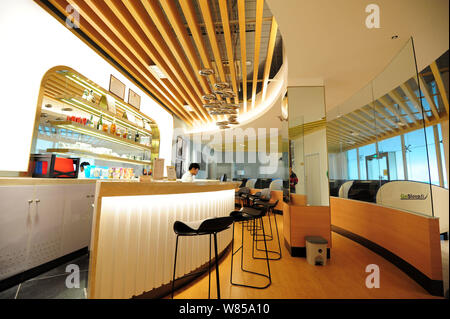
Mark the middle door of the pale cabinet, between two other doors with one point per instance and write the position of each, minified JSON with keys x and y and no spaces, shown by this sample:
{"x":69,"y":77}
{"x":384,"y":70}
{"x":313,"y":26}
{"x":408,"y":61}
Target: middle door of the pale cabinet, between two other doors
{"x":46,"y":233}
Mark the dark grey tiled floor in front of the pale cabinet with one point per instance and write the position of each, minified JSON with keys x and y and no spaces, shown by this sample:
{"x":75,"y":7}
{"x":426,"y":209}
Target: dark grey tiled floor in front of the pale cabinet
{"x":52,"y":284}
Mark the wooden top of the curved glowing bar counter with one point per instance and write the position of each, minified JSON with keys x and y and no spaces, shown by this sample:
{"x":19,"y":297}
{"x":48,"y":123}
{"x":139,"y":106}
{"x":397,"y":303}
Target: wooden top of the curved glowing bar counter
{"x":162,"y":187}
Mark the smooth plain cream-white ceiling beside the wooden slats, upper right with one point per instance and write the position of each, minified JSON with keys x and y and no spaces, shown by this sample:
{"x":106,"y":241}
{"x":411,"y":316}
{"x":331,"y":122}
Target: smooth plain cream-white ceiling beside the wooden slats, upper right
{"x":327,"y":41}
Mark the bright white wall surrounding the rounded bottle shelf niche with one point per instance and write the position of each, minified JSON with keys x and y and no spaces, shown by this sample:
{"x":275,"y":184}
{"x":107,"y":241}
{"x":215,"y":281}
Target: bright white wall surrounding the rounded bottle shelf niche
{"x":32,"y":43}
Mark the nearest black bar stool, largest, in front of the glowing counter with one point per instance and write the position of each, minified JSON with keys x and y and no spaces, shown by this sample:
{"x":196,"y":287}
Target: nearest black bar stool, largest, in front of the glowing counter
{"x":210,"y":226}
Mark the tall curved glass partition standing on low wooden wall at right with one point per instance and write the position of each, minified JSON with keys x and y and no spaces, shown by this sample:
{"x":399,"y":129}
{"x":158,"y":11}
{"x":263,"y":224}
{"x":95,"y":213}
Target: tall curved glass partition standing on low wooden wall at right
{"x":384,"y":144}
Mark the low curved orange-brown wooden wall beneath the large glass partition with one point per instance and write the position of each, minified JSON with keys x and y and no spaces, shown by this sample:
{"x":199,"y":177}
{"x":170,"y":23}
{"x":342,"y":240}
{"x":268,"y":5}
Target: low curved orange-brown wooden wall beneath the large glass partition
{"x":410,"y":241}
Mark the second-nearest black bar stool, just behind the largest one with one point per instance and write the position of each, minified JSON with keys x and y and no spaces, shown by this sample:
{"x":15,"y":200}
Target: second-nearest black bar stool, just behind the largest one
{"x":249,"y":215}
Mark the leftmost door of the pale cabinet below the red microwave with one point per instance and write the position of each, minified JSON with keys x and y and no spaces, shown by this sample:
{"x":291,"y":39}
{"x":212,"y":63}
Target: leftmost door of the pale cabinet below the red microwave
{"x":15,"y":225}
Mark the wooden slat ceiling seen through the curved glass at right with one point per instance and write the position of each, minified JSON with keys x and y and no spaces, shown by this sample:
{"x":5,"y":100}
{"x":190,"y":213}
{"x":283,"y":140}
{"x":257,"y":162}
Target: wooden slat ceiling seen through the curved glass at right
{"x":398,"y":112}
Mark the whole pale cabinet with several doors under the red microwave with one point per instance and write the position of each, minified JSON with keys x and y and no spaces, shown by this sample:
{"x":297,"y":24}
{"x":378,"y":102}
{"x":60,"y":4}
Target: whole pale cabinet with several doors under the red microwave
{"x":39,"y":223}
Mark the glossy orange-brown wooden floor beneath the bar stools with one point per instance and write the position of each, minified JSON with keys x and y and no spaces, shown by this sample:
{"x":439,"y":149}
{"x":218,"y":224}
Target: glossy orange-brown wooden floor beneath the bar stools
{"x":293,"y":278}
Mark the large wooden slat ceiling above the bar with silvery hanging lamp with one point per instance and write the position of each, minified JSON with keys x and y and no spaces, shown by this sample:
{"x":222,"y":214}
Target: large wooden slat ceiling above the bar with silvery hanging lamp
{"x":181,"y":37}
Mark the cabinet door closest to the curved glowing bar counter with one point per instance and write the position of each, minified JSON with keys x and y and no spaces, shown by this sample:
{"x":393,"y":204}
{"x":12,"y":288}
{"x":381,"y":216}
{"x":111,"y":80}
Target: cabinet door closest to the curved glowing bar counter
{"x":78,"y":212}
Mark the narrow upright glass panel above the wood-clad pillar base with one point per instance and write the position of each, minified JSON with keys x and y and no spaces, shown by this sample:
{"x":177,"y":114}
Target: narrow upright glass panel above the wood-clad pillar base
{"x":308,"y":146}
